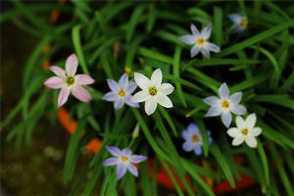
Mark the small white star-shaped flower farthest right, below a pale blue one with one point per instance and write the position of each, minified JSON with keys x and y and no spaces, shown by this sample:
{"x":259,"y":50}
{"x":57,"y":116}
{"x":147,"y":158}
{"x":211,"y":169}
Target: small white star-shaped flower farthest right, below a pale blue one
{"x":245,"y":131}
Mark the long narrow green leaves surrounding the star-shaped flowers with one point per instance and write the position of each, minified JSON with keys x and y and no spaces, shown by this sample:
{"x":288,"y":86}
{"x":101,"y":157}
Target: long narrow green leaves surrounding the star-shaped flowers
{"x":111,"y":37}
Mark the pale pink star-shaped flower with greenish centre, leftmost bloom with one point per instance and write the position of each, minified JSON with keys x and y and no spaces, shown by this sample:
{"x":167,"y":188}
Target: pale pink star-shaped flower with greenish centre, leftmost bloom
{"x":69,"y":82}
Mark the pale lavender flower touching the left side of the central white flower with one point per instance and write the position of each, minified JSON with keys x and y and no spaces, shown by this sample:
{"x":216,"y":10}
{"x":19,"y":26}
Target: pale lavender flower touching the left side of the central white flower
{"x":121,"y":92}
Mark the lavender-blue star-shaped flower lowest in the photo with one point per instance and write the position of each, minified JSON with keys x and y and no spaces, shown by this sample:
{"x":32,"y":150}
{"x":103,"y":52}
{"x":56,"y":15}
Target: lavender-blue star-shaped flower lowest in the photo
{"x":124,"y":161}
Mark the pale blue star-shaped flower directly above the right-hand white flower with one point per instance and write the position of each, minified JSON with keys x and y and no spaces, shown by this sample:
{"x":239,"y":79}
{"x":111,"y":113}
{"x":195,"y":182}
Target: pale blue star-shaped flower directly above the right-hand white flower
{"x":225,"y":104}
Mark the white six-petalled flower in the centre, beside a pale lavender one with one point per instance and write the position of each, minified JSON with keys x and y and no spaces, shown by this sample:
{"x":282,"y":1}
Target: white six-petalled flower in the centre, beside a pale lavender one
{"x":153,"y":91}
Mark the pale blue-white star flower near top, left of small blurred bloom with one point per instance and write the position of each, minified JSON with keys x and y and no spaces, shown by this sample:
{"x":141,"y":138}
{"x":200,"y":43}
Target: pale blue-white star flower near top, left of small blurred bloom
{"x":200,"y":42}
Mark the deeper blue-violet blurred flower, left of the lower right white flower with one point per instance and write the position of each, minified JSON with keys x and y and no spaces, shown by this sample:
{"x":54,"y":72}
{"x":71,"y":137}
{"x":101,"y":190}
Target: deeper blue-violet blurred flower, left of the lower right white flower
{"x":193,"y":139}
